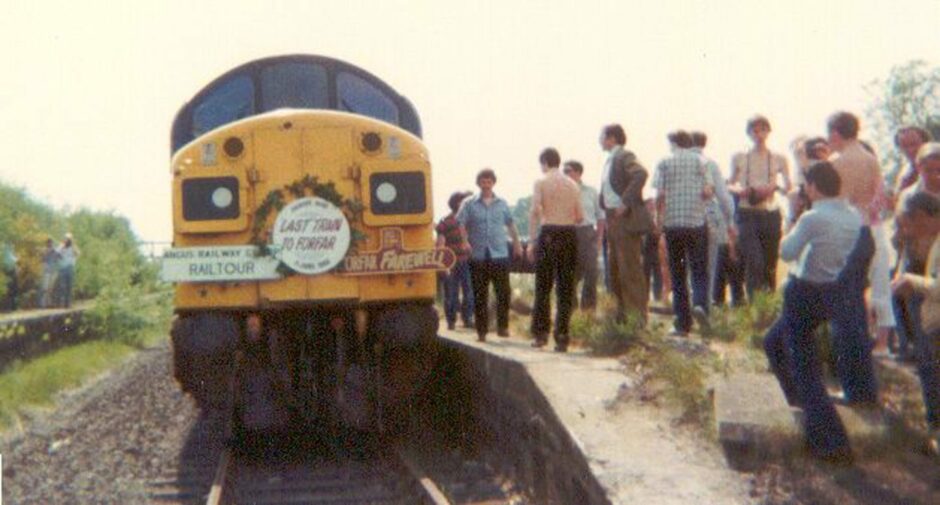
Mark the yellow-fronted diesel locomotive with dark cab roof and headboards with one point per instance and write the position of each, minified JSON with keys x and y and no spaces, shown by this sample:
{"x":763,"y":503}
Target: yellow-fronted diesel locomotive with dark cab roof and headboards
{"x":303,"y":255}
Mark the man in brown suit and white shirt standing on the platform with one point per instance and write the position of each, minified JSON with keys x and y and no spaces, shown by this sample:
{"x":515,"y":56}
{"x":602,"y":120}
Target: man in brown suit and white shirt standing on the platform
{"x":627,"y":221}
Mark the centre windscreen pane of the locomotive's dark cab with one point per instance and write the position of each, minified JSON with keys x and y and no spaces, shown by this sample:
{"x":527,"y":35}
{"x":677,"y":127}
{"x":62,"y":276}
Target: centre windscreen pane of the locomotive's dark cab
{"x":294,"y":85}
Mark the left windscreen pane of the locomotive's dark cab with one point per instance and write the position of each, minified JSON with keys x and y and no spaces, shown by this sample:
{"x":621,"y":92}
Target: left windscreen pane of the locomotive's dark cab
{"x":230,"y":101}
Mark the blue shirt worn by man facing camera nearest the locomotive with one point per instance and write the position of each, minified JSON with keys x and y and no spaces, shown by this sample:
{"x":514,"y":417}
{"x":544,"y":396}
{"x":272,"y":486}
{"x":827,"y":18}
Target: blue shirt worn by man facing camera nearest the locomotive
{"x":486,"y":226}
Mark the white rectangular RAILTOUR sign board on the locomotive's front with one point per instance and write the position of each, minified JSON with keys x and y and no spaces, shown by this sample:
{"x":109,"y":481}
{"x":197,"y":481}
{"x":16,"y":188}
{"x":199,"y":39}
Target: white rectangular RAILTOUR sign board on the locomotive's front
{"x":217,"y":264}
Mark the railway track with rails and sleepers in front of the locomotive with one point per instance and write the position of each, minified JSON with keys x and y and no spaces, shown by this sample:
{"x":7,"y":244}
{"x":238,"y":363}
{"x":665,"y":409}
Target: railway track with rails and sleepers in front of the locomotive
{"x":209,"y":473}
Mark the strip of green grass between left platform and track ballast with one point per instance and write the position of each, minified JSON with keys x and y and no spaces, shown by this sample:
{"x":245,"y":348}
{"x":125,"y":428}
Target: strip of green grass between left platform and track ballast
{"x":26,"y":386}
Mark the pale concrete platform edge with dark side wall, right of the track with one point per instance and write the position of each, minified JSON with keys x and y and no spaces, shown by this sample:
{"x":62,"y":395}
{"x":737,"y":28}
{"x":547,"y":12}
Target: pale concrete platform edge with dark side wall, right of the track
{"x":564,"y":434}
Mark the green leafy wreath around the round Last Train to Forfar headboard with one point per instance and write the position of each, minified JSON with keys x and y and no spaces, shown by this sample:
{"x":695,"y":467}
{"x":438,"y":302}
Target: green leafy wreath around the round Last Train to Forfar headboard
{"x":308,"y":185}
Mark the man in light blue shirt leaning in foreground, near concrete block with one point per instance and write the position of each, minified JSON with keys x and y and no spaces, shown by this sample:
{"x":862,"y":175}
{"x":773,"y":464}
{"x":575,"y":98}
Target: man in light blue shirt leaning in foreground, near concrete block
{"x":832,"y":249}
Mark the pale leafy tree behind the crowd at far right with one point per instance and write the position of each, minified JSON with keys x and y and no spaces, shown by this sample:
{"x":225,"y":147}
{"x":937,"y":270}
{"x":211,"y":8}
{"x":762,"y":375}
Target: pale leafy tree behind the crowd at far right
{"x":909,"y":96}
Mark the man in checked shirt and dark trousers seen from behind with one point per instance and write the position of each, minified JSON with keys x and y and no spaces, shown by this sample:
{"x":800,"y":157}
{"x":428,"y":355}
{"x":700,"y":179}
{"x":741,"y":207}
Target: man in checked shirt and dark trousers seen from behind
{"x":684,"y":189}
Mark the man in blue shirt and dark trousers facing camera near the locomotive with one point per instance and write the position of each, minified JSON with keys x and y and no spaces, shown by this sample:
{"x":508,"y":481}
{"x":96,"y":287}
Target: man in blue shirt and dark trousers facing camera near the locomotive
{"x":484,"y":221}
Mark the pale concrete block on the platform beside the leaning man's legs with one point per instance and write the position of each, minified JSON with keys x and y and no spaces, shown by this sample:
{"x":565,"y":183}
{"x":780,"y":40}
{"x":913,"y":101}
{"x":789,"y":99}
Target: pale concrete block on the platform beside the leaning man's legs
{"x":753,"y":420}
